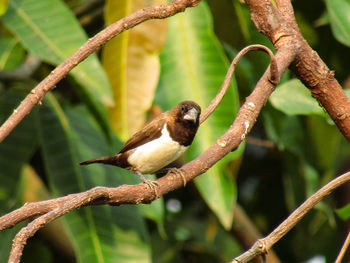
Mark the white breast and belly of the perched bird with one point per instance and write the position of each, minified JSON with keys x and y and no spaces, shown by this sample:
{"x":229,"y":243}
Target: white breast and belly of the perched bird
{"x":156,"y":154}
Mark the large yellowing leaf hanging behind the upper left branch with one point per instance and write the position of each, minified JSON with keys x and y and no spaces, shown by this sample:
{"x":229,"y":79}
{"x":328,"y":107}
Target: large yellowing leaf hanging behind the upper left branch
{"x":132,"y":65}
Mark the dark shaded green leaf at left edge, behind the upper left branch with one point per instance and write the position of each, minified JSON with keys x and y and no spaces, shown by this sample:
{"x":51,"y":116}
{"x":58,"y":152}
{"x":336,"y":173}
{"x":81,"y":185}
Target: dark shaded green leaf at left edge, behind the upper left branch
{"x":16,"y":150}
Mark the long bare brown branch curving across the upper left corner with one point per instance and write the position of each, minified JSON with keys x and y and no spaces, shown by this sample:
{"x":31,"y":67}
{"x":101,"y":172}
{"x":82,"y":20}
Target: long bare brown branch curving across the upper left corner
{"x":93,"y":44}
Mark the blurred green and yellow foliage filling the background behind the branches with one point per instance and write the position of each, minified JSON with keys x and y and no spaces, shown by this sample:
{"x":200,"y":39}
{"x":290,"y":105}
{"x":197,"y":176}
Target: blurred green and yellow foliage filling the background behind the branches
{"x":292,"y":151}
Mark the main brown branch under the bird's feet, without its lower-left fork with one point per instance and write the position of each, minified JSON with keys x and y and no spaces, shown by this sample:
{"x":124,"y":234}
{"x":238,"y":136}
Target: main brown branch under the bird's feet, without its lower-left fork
{"x":135,"y":194}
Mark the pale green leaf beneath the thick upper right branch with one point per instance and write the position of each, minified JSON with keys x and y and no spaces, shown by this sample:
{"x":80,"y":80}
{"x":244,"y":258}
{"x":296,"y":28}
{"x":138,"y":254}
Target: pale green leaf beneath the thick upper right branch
{"x":293,"y":98}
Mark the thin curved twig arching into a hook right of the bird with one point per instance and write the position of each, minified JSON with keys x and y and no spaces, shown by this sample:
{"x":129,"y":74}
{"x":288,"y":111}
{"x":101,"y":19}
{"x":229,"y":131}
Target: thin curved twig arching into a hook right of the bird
{"x":274,"y":77}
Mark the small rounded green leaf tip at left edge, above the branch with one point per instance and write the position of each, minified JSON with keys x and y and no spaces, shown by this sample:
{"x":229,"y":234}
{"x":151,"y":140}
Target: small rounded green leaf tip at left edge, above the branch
{"x":11,"y":53}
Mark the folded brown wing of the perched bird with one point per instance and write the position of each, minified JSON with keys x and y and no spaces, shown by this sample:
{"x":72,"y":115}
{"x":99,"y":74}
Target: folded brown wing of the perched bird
{"x":151,"y":131}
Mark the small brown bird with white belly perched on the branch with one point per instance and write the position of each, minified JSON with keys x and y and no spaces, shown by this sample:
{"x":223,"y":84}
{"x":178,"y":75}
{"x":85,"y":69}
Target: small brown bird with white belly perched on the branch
{"x":159,"y":143}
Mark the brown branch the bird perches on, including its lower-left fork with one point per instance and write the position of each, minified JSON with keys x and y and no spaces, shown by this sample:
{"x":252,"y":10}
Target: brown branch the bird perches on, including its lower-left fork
{"x":134,"y":194}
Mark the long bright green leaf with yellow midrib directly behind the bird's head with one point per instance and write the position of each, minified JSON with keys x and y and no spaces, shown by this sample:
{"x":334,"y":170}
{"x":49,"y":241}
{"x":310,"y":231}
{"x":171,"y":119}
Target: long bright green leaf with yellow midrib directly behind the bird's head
{"x":193,"y":66}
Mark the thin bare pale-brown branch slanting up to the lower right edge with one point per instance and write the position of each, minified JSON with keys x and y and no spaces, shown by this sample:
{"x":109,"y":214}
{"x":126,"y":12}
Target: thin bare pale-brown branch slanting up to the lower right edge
{"x":264,"y":244}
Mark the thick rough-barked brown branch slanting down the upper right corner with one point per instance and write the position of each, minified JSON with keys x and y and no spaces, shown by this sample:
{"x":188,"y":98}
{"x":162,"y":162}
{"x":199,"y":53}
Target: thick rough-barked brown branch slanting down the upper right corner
{"x":279,"y":25}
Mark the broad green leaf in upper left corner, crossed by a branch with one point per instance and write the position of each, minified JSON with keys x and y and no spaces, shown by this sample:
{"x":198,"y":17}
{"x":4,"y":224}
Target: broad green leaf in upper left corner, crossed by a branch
{"x":48,"y":29}
